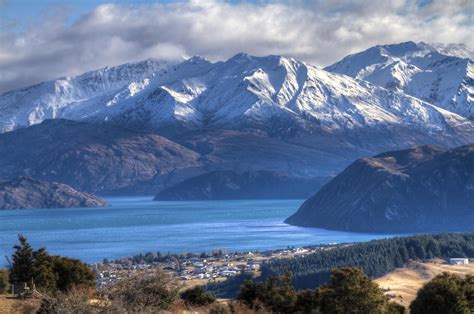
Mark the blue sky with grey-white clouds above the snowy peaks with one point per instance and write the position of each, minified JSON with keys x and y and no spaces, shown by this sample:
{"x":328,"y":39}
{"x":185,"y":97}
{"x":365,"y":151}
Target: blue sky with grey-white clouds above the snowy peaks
{"x":46,"y":39}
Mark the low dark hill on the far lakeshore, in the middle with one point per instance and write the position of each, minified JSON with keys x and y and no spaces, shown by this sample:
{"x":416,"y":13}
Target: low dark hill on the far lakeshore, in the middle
{"x":220,"y":185}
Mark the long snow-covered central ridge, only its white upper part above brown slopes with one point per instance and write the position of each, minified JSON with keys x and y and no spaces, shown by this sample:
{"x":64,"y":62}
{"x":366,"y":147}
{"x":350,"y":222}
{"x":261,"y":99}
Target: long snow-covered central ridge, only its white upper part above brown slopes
{"x":270,"y":93}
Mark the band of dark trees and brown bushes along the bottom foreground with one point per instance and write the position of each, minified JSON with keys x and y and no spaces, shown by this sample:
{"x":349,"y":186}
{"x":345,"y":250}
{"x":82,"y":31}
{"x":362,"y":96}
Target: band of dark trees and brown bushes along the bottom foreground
{"x":65,"y":286}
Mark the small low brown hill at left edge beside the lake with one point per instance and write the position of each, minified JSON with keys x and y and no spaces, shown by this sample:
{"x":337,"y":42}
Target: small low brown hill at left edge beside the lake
{"x":25,"y":192}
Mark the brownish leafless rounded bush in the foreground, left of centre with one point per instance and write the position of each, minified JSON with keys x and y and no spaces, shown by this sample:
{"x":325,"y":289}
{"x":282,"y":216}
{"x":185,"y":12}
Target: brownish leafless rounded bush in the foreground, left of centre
{"x":146,"y":292}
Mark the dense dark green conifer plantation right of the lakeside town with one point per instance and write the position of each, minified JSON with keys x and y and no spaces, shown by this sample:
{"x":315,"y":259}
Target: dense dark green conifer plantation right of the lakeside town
{"x":376,"y":258}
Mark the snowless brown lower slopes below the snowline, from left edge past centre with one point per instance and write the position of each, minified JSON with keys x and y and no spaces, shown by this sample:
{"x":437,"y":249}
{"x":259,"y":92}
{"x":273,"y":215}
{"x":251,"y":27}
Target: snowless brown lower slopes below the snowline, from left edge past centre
{"x":107,"y":159}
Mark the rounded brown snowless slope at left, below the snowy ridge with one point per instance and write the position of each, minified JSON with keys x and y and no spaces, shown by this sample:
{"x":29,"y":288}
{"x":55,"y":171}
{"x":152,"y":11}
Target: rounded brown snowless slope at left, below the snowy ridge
{"x":97,"y":158}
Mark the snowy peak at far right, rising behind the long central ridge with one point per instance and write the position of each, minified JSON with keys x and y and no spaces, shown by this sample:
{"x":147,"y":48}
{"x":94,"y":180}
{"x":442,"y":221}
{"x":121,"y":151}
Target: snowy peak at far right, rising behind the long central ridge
{"x":440,"y":74}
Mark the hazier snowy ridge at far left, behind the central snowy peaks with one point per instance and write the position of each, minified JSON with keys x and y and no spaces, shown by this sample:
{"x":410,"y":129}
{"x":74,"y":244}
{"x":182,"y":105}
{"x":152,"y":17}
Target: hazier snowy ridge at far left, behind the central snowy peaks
{"x":48,"y":100}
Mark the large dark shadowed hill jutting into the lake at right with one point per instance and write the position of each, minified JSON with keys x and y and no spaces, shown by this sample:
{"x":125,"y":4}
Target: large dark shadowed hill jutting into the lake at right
{"x":416,"y":190}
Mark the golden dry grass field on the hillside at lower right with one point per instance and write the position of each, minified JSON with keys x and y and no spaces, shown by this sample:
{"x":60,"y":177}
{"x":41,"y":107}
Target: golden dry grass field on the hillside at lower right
{"x":403,"y":283}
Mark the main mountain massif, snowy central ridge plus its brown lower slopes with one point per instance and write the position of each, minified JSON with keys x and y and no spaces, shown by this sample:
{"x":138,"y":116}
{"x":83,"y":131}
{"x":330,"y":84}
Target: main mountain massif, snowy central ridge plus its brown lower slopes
{"x":141,"y":127}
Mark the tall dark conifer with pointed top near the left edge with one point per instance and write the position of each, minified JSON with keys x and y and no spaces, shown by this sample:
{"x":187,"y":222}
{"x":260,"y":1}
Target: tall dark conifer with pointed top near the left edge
{"x":22,"y":268}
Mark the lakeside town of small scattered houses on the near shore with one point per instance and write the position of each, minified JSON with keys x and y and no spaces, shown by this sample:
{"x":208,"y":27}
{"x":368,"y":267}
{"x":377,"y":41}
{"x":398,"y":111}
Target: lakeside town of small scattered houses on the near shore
{"x":197,"y":269}
